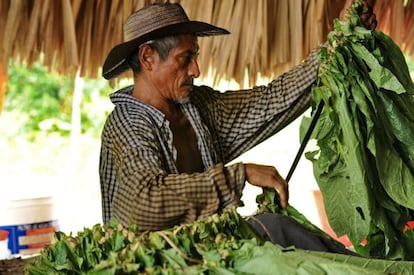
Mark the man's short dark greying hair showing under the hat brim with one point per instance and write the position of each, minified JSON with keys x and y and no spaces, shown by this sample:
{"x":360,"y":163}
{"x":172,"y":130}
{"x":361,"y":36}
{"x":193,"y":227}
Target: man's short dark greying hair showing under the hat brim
{"x":162,"y":46}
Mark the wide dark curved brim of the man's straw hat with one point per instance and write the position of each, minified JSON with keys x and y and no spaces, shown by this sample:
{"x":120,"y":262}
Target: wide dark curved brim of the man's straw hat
{"x":115,"y":64}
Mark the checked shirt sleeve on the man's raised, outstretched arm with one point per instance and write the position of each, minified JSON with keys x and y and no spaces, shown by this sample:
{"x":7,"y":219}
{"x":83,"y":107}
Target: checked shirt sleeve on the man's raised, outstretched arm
{"x":242,"y":119}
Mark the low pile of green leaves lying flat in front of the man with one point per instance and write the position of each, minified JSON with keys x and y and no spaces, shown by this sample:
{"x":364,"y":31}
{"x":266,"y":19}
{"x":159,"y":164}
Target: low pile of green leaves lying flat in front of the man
{"x":221,"y":244}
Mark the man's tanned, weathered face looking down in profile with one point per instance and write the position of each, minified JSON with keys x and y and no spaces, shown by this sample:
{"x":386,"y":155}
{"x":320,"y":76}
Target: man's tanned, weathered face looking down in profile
{"x":173,"y":78}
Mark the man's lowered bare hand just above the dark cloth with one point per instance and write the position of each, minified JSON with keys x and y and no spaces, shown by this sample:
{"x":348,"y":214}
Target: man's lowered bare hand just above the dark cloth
{"x":268,"y":176}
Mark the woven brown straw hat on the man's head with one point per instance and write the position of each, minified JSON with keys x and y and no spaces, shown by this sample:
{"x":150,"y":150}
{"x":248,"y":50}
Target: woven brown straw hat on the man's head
{"x":152,"y":22}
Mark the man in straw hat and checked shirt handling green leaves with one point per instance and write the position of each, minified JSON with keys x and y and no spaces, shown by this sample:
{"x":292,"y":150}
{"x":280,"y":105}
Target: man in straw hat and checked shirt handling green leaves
{"x":166,"y":144}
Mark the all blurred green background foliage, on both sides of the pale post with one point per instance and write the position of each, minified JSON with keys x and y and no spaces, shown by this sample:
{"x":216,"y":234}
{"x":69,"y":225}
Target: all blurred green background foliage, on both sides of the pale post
{"x":44,"y":100}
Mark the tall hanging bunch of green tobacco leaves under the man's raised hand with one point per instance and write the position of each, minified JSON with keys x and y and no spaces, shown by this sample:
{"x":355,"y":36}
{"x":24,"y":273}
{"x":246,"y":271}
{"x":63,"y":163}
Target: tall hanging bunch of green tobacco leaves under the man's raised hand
{"x":364,"y":164}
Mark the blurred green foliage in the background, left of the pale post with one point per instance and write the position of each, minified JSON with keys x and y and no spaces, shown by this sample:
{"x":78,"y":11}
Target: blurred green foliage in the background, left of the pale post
{"x":41,"y":97}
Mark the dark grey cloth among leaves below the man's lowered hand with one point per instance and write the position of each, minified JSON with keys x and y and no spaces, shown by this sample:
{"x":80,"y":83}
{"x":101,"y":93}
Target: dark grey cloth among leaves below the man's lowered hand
{"x":285,"y":231}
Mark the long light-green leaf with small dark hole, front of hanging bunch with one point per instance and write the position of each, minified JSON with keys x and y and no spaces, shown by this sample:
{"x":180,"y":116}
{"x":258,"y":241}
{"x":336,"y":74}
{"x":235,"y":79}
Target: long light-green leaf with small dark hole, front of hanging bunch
{"x":347,"y":204}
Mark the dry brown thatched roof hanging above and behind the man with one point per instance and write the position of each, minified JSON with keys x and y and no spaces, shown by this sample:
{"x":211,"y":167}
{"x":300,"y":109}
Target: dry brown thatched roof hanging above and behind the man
{"x":268,"y":36}
